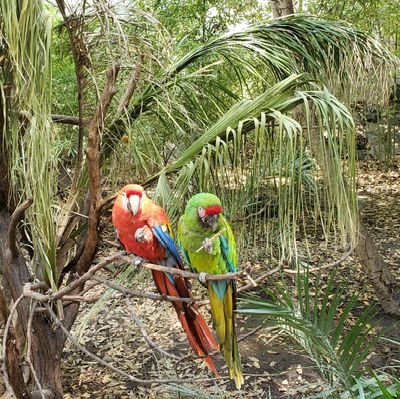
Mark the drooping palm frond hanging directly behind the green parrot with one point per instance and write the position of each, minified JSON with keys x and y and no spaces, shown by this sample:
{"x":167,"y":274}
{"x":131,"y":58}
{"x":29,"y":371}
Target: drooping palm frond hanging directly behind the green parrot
{"x":273,"y":171}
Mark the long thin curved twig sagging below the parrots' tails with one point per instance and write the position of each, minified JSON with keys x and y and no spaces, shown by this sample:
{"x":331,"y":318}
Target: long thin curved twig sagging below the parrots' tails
{"x":117,"y":369}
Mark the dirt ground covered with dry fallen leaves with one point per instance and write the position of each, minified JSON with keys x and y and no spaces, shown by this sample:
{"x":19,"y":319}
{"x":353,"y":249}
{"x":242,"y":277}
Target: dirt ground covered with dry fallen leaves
{"x":272,"y":368}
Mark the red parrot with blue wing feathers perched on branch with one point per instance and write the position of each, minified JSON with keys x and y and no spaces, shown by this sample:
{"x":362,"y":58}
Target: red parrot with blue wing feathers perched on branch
{"x":144,"y":230}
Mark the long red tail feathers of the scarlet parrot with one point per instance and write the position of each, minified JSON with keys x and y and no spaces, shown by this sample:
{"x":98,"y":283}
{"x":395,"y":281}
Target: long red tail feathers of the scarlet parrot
{"x":197,"y":331}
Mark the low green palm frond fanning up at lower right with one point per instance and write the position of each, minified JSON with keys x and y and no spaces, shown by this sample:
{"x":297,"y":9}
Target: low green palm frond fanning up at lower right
{"x":337,"y":346}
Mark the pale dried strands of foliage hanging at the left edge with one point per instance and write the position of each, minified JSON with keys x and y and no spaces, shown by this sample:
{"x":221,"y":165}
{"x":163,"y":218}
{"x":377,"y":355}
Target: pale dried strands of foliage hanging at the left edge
{"x":26,"y":36}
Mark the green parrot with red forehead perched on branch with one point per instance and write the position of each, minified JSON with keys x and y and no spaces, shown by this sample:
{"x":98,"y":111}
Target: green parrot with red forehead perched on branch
{"x":208,"y":244}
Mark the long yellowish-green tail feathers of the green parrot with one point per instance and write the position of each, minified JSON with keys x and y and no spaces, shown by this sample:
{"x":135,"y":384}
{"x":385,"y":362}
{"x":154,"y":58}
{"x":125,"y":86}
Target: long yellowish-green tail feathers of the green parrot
{"x":224,"y":323}
